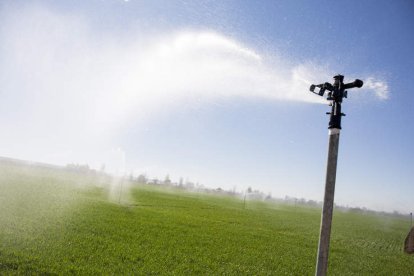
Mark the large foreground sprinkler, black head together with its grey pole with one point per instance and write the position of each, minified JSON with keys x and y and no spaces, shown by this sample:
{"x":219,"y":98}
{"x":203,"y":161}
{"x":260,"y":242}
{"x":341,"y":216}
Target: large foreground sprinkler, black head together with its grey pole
{"x":336,"y":93}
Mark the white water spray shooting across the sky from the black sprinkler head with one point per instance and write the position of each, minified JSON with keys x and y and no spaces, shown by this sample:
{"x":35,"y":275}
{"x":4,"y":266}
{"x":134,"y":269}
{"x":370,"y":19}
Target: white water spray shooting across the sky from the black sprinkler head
{"x":63,"y":75}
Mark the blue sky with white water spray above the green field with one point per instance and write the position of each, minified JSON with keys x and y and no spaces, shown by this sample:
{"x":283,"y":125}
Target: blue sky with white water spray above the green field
{"x":214,"y":91}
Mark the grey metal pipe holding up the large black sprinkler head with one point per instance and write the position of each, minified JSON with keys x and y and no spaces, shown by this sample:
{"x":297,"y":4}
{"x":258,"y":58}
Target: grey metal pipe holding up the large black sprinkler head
{"x":328,"y":203}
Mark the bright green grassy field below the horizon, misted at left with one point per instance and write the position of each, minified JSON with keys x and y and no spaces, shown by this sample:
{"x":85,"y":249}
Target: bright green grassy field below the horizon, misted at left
{"x":53,"y":221}
